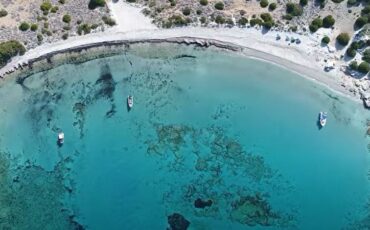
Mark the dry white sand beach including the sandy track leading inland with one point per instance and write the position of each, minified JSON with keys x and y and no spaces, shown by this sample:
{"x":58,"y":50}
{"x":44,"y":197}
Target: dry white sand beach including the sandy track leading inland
{"x":305,"y":58}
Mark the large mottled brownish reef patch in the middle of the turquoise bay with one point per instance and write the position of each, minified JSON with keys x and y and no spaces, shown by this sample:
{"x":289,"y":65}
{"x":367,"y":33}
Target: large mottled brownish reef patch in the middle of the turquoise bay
{"x":214,"y":154}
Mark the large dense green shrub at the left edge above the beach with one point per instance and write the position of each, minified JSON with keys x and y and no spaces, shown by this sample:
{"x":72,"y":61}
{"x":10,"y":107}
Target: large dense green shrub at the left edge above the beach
{"x":10,"y":49}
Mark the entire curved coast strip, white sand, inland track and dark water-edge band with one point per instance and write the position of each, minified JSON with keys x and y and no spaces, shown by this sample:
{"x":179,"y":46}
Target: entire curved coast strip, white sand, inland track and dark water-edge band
{"x":306,"y":58}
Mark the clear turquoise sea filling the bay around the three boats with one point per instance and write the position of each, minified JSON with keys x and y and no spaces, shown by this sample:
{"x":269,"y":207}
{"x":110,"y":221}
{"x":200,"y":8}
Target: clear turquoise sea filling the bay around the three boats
{"x":215,"y":140}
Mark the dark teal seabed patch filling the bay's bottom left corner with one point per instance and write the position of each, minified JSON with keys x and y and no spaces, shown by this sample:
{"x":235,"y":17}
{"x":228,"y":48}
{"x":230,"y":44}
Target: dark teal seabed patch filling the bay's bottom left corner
{"x":32,"y":198}
